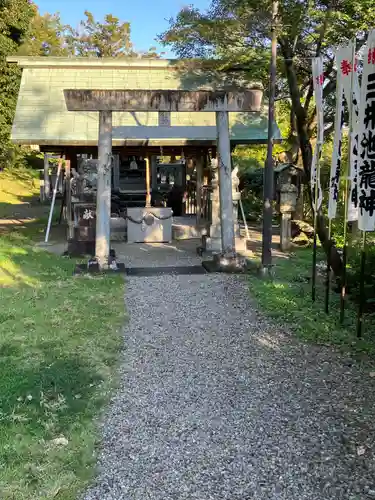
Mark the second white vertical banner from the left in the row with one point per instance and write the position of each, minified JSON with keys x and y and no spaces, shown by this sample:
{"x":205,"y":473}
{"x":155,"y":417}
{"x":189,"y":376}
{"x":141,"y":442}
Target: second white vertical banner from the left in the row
{"x":334,"y":180}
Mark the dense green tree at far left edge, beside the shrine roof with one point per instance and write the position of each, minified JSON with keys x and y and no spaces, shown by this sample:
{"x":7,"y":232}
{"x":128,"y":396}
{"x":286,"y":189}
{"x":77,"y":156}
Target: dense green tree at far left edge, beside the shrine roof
{"x":15,"y":18}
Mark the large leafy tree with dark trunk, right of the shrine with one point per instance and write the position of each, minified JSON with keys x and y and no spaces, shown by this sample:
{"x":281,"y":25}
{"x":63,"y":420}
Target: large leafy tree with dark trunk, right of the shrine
{"x":235,"y":34}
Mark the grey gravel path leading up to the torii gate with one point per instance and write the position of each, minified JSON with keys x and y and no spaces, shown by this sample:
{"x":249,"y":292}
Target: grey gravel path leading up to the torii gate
{"x":215,"y":403}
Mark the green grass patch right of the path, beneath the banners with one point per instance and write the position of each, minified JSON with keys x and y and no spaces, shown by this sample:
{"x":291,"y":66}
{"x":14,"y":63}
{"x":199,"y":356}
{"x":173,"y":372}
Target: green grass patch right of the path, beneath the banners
{"x":287,"y":299}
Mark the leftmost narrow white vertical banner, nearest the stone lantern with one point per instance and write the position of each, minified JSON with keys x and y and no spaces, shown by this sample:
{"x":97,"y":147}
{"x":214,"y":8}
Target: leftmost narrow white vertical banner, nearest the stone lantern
{"x":318,"y":80}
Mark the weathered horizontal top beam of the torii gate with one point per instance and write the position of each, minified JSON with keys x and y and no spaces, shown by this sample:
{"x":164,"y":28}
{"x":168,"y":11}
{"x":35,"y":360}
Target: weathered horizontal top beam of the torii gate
{"x":238,"y":100}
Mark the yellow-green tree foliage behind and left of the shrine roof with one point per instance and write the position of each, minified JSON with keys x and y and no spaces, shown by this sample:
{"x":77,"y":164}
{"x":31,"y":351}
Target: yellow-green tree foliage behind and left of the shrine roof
{"x":24,"y":31}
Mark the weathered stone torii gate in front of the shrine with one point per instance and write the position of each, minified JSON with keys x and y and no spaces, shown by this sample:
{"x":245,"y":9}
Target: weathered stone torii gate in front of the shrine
{"x":106,"y":101}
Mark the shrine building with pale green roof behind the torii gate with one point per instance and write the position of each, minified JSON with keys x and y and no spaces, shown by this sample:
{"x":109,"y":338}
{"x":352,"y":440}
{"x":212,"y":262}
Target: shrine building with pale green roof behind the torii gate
{"x":152,"y":151}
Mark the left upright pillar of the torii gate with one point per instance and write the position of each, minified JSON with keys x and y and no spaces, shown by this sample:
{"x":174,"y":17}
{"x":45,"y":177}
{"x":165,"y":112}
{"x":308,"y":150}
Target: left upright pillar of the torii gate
{"x":103,"y":200}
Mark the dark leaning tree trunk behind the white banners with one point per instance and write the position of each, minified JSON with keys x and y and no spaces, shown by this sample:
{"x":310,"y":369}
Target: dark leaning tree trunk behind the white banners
{"x":306,"y":153}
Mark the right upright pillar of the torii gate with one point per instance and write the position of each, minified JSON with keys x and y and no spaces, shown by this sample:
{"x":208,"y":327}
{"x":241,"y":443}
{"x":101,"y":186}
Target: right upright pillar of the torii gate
{"x":225,"y":183}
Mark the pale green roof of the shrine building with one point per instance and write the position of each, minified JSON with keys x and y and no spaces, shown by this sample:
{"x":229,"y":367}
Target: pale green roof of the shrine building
{"x":42,"y":117}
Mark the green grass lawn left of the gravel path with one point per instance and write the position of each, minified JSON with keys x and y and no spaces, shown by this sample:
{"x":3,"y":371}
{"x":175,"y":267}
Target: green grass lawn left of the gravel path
{"x":59,"y":346}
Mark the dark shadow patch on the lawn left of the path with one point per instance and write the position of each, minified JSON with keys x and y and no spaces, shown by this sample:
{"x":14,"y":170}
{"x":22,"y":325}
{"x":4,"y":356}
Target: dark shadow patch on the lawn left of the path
{"x":46,"y":397}
